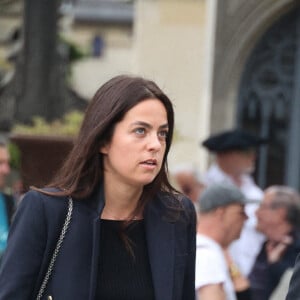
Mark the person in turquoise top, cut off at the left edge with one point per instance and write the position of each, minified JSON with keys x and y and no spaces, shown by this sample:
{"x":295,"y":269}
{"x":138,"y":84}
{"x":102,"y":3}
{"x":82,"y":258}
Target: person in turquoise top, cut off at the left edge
{"x":6,"y":201}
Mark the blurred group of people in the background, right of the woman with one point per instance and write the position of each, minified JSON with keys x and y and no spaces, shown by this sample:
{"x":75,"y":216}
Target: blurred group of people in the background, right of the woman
{"x":257,"y":244}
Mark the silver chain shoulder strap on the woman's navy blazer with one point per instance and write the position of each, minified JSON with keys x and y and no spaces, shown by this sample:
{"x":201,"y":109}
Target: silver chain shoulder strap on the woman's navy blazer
{"x":57,"y":248}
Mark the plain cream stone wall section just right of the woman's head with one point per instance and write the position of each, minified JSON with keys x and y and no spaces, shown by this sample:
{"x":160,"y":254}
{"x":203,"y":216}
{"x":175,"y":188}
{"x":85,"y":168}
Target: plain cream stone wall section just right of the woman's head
{"x":170,"y":47}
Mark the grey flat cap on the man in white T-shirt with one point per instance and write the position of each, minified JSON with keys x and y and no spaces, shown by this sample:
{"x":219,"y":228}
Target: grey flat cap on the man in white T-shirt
{"x":219,"y":195}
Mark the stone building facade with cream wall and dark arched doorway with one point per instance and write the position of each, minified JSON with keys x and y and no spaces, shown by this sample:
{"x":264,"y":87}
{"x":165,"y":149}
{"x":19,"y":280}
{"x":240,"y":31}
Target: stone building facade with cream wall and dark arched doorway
{"x":203,"y":50}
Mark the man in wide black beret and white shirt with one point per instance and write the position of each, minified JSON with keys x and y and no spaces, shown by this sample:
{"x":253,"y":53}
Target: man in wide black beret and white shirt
{"x":235,"y":155}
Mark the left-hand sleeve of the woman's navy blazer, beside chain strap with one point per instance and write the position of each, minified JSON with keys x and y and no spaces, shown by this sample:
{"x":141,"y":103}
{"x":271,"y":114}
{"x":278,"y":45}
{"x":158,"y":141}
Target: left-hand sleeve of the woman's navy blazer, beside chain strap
{"x":22,"y":259}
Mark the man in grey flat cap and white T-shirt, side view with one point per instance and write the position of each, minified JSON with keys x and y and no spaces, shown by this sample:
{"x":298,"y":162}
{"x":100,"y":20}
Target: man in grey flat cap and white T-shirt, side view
{"x":220,"y":221}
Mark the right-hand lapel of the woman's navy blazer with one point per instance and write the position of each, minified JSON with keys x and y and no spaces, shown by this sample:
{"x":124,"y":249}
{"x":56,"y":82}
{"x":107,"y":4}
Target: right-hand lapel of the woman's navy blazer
{"x":161,"y":249}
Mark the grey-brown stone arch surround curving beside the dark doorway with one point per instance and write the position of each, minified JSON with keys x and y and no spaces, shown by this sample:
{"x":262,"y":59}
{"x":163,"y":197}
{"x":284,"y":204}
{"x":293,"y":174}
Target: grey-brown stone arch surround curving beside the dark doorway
{"x":240,"y":24}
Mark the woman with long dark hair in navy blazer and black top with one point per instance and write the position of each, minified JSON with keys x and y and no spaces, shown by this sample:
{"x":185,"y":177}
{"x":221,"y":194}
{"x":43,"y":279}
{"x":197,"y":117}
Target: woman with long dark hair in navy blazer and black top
{"x":131,"y":236}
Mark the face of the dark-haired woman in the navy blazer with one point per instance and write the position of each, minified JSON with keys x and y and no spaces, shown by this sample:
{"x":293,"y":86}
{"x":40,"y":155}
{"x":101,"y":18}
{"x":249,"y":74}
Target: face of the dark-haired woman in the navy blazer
{"x":135,"y":153}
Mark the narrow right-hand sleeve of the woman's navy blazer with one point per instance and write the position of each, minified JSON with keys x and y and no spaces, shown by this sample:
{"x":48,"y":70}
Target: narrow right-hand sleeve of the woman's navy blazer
{"x":189,"y":280}
